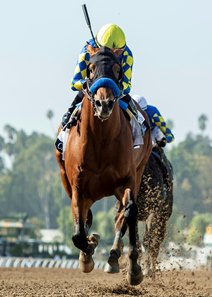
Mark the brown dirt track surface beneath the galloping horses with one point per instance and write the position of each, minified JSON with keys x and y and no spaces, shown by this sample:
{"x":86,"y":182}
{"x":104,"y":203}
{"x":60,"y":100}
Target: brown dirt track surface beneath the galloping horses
{"x":64,"y":282}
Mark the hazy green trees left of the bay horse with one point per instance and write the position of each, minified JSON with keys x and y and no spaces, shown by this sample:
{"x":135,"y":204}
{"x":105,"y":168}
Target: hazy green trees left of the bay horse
{"x":32,"y":178}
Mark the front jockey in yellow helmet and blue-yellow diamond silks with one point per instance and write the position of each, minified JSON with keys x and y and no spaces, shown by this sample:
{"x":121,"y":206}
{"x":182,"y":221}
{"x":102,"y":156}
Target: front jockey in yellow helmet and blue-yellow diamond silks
{"x":110,"y":36}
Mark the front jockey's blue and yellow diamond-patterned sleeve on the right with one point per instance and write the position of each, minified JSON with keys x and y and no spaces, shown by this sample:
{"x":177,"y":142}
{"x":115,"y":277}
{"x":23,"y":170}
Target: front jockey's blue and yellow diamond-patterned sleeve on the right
{"x":127,"y":65}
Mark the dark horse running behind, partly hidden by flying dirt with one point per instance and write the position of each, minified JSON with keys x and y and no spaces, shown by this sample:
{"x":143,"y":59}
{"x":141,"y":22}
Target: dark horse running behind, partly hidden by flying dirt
{"x":155,"y":201}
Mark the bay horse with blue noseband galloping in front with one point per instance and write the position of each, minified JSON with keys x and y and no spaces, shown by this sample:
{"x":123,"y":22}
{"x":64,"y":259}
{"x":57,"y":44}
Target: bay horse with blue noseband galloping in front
{"x":100,"y":161}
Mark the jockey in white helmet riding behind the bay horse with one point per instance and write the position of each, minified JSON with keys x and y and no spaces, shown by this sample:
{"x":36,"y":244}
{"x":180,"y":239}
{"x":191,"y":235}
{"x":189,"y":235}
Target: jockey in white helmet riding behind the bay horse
{"x":161,"y":133}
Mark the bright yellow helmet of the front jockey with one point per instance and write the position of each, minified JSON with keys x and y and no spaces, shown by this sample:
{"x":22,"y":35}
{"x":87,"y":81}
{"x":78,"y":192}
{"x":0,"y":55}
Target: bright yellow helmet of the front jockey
{"x":112,"y":36}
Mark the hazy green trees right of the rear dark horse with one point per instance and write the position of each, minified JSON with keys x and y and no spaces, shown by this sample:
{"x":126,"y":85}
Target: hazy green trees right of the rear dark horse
{"x":191,"y":161}
